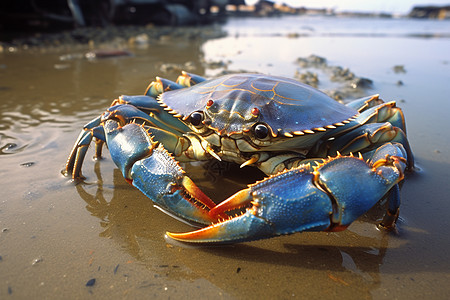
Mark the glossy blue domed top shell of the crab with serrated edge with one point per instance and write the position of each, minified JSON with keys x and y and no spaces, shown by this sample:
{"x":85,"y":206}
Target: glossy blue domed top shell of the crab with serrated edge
{"x":235,"y":103}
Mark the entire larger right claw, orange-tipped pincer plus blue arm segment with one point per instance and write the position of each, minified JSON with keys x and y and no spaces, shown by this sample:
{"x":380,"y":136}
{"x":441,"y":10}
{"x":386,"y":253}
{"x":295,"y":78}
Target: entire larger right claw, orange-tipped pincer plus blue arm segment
{"x":327,"y":197}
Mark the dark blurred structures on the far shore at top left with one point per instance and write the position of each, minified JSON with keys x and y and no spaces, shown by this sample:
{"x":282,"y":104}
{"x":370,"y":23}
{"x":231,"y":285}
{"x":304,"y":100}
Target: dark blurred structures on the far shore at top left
{"x":81,"y":13}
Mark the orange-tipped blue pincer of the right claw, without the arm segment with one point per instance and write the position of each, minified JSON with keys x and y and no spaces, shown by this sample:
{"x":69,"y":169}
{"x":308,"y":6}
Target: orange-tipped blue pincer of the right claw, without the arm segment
{"x":286,"y":203}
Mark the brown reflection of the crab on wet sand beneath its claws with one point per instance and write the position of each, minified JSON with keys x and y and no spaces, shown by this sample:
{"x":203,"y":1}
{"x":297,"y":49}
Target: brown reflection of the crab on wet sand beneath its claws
{"x":346,"y":259}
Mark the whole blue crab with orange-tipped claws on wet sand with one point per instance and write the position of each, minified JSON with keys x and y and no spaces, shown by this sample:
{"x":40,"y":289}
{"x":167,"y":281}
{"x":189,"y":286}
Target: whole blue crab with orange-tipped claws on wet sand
{"x":302,"y":139}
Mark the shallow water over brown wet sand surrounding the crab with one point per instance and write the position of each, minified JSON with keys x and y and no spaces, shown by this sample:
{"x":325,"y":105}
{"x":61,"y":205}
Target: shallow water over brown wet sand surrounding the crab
{"x":56,"y":236}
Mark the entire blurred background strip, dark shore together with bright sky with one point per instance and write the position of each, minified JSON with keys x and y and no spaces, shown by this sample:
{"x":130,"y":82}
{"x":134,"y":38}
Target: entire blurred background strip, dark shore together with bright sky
{"x":182,"y":12}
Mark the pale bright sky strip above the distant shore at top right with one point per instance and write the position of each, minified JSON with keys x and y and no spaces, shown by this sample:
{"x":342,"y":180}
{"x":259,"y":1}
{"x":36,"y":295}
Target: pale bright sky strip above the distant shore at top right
{"x":392,"y":6}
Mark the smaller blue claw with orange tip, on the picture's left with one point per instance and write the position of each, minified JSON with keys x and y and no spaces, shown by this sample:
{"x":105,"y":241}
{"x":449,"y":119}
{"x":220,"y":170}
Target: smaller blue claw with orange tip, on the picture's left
{"x":149,"y":167}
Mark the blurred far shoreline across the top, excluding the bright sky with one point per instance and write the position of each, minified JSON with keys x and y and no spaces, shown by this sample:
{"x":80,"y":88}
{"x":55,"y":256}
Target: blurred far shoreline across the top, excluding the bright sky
{"x":80,"y":13}
